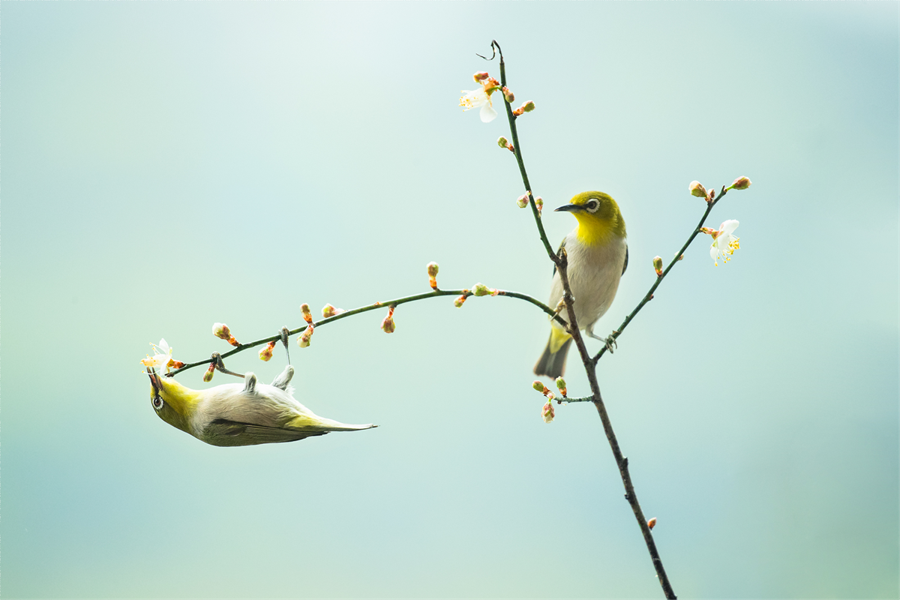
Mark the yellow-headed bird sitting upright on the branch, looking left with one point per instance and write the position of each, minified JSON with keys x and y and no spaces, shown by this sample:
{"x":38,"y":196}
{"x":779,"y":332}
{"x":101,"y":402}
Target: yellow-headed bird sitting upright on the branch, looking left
{"x":597,"y":258}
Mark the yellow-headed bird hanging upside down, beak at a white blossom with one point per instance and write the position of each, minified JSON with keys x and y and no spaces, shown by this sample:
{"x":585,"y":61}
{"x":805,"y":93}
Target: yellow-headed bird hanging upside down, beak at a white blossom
{"x":237,"y":414}
